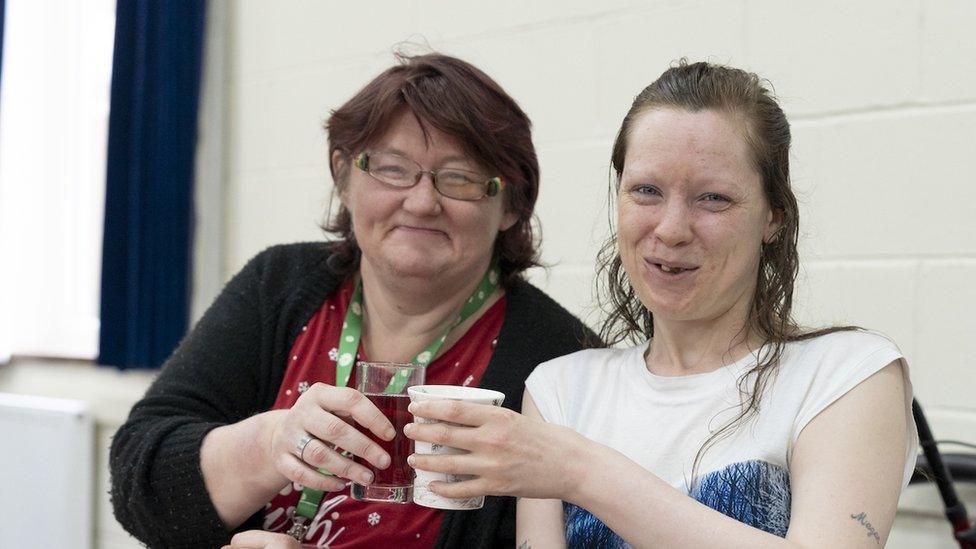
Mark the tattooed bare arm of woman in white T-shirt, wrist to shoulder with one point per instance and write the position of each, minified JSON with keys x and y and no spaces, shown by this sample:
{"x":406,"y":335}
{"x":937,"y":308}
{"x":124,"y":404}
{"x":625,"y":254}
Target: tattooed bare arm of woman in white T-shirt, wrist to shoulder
{"x":841,"y":469}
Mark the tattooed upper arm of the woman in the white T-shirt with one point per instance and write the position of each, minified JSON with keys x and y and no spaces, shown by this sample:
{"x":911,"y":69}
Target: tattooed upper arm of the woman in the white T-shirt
{"x":848,"y":464}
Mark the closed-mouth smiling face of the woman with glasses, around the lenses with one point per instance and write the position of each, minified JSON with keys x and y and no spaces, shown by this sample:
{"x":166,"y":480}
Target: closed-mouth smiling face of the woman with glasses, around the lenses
{"x":415,"y":231}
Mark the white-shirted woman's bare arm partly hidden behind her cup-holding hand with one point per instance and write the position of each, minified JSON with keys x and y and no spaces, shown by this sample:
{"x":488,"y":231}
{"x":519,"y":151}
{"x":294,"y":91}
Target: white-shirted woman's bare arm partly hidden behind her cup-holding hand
{"x":539,"y":522}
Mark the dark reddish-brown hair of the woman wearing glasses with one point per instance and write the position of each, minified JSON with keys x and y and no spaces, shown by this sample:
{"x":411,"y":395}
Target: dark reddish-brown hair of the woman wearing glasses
{"x":460,"y":100}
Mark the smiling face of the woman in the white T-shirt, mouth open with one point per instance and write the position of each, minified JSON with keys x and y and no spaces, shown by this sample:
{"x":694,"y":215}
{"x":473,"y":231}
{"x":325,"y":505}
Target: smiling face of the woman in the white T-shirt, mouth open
{"x":692,"y":216}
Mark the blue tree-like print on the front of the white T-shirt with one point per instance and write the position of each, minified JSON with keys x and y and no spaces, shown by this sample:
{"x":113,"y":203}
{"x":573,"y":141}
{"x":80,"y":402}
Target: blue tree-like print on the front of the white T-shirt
{"x":754,"y":492}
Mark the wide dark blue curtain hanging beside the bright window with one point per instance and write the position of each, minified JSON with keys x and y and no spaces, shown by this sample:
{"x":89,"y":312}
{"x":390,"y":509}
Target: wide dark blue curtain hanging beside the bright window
{"x":146,"y":247}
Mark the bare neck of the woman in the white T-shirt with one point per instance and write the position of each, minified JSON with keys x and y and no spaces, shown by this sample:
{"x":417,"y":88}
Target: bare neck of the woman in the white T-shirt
{"x":682,"y":348}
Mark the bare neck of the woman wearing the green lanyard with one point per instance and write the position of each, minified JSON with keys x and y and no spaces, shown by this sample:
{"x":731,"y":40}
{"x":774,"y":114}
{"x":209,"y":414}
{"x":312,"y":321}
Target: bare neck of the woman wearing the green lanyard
{"x":402,"y":315}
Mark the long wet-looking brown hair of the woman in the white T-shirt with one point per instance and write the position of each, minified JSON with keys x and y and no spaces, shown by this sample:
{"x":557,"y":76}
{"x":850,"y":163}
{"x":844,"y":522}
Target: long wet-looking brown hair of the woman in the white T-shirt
{"x":748,"y":100}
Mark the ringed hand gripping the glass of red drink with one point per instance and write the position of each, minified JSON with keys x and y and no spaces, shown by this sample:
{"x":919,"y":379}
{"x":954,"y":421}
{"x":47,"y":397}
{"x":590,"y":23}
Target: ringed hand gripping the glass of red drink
{"x":325,"y":413}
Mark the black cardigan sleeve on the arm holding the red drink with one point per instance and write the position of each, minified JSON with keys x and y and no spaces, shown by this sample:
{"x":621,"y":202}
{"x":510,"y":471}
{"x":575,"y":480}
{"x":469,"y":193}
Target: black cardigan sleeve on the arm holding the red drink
{"x":211,"y":379}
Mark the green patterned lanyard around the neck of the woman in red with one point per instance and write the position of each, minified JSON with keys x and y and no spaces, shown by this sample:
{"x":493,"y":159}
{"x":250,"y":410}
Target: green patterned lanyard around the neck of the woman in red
{"x":352,"y":331}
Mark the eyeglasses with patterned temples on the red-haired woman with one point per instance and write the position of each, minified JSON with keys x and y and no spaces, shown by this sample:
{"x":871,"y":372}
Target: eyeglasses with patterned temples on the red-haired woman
{"x":400,"y":171}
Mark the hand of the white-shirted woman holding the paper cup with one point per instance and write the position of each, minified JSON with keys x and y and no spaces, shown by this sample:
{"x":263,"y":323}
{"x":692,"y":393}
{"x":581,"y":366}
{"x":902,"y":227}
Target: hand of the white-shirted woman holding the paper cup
{"x":509,"y":454}
